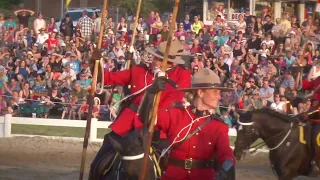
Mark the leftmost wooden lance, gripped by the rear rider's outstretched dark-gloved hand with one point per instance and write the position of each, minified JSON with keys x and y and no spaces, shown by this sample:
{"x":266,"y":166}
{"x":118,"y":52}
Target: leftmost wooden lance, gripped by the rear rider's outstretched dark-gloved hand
{"x":91,"y":93}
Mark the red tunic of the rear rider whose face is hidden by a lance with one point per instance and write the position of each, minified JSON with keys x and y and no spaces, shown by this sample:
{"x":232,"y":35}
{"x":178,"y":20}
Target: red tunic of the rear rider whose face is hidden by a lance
{"x":136,"y":78}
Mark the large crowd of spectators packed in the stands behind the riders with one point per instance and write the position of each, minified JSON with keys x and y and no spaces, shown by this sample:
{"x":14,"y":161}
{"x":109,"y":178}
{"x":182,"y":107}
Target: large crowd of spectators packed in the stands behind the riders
{"x":266,"y":62}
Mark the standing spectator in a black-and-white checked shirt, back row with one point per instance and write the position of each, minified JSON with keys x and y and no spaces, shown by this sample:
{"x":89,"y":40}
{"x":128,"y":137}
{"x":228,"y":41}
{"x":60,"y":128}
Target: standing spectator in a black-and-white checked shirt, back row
{"x":86,"y":25}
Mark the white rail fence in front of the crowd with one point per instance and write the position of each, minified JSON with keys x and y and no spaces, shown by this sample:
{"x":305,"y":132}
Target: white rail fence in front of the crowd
{"x":7,"y":121}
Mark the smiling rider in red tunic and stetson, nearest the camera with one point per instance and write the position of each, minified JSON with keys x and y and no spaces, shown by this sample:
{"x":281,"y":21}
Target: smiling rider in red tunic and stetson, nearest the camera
{"x":199,"y":140}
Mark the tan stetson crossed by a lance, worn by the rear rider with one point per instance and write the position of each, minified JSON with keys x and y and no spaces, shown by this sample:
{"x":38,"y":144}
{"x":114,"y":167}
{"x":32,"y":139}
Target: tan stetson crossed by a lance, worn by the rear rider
{"x":175,"y":52}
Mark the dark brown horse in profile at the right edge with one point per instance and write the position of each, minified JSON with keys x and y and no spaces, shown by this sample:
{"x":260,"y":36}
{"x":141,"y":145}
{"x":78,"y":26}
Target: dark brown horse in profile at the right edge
{"x":292,"y":148}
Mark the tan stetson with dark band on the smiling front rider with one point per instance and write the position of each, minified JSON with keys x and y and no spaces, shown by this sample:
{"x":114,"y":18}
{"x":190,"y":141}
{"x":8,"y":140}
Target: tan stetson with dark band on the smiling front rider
{"x":206,"y":79}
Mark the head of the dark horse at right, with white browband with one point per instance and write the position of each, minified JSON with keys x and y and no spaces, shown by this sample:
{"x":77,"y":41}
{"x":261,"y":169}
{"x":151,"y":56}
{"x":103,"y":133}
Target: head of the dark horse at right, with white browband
{"x":247,"y":134}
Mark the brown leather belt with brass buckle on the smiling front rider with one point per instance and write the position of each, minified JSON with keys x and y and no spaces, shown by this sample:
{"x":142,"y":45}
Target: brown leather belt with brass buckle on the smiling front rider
{"x":192,"y":164}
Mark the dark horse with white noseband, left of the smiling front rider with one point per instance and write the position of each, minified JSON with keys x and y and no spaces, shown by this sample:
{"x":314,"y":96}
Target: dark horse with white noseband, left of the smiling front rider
{"x":129,"y":160}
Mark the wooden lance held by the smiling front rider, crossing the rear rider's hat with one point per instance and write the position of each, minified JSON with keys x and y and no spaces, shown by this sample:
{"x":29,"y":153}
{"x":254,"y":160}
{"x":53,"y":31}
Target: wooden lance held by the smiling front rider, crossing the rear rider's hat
{"x":157,"y":97}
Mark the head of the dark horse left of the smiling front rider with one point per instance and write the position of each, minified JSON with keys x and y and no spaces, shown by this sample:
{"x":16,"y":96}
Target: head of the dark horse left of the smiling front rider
{"x":131,"y":150}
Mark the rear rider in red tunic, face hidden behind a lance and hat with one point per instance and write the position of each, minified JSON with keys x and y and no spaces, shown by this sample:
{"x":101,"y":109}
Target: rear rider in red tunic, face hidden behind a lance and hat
{"x":139,"y":78}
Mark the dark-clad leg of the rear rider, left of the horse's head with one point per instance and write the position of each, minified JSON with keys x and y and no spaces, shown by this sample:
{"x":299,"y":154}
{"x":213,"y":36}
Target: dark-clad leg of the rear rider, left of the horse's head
{"x":103,"y":158}
